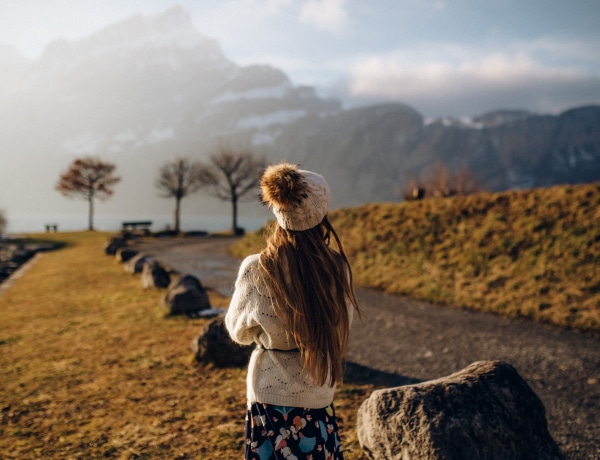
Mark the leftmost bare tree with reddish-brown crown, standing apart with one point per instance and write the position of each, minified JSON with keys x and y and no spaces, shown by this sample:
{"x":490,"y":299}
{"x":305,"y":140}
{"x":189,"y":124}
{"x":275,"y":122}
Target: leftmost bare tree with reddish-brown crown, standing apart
{"x":88,"y":178}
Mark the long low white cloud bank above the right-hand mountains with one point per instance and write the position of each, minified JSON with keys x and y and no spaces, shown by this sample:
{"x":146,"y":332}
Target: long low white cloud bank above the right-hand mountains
{"x":466,"y":81}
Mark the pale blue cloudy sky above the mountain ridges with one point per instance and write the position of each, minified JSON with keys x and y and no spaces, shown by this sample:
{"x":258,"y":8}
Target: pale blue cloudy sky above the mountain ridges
{"x":442,"y":57}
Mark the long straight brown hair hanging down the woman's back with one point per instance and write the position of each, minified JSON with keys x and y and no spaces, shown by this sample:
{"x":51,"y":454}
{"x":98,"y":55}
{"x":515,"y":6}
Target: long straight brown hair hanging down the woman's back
{"x":311,"y":284}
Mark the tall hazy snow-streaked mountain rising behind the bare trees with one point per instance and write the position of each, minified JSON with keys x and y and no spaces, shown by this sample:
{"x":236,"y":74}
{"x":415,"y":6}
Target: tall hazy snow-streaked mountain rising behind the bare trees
{"x":138,"y":93}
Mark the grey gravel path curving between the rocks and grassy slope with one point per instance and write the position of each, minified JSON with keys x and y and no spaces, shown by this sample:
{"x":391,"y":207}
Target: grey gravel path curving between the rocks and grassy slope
{"x":402,"y":341}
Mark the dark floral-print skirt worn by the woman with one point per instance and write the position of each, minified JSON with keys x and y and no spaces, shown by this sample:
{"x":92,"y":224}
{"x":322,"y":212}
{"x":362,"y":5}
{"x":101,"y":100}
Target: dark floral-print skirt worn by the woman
{"x":291,"y":433}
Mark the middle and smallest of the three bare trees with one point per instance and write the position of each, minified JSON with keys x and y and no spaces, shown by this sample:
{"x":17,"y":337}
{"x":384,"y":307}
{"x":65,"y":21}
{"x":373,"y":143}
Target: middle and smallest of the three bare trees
{"x":178,"y":179}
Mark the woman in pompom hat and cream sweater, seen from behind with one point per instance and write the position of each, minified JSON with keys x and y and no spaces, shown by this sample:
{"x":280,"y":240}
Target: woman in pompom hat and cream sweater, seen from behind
{"x":295,"y":301}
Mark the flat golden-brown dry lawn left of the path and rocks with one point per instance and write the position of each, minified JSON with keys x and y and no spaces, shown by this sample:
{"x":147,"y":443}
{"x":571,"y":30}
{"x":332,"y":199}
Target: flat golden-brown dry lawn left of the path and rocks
{"x":92,"y":368}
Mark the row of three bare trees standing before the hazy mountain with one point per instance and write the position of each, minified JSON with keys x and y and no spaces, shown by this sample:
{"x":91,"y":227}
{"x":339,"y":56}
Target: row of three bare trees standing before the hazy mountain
{"x":229,"y":175}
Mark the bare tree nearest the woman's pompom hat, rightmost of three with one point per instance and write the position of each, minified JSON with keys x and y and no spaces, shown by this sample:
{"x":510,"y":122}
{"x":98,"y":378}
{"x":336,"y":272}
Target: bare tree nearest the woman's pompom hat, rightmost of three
{"x":232,"y":174}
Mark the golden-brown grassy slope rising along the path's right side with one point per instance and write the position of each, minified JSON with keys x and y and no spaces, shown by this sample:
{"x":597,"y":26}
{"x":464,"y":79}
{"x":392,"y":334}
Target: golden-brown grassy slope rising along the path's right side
{"x":533,"y":253}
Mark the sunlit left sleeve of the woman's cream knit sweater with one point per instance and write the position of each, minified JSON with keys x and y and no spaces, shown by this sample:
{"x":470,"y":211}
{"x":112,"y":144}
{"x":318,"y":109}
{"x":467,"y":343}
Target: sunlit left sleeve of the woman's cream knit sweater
{"x":240,"y":320}
